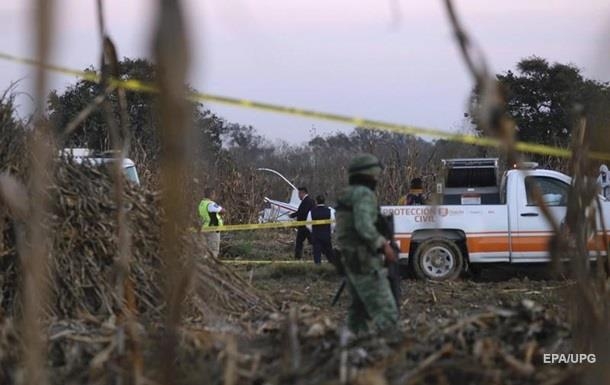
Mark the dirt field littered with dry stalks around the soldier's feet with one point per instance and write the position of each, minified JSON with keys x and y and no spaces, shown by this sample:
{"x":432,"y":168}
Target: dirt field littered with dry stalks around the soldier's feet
{"x":494,"y":329}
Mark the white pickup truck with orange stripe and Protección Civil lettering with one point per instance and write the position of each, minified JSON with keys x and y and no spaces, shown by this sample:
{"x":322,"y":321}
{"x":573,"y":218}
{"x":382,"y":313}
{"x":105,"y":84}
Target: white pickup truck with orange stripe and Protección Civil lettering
{"x":440,"y":242}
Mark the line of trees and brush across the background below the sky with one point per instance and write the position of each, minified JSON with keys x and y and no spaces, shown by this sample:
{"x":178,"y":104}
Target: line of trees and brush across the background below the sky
{"x":544,"y":99}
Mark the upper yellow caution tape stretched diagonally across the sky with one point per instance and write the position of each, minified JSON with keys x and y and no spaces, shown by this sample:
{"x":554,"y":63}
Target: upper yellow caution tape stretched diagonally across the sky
{"x":139,"y":86}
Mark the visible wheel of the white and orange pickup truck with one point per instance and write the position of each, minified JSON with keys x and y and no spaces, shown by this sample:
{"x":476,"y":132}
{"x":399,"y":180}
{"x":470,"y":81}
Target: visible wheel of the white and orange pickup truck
{"x":438,"y":260}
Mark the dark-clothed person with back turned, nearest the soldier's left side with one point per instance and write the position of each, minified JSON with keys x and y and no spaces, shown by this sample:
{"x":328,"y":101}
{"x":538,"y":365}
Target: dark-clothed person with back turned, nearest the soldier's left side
{"x":321,"y":234}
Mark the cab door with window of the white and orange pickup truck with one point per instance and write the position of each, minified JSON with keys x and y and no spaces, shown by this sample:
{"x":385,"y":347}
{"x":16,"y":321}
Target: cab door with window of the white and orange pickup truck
{"x":531,"y":231}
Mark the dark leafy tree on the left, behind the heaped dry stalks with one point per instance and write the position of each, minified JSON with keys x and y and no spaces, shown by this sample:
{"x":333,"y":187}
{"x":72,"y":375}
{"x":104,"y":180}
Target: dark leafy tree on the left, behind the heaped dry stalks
{"x":143,"y":117}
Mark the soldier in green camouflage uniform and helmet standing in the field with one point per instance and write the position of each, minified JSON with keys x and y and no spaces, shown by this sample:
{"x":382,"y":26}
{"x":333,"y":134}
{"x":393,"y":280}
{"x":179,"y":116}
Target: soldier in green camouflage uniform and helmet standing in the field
{"x":362,"y":246}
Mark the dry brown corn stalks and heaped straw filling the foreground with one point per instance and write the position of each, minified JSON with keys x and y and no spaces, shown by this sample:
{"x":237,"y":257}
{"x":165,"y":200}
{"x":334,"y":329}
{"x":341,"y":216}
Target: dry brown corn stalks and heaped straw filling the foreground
{"x":123,"y":294}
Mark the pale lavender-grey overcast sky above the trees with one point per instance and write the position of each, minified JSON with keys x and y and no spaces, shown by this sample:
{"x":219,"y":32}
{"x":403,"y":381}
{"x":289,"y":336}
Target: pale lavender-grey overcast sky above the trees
{"x":392,"y":60}
